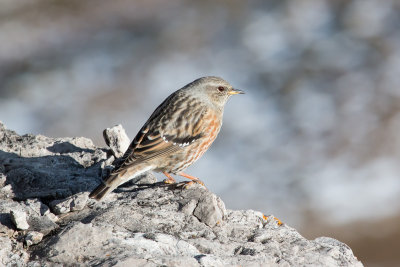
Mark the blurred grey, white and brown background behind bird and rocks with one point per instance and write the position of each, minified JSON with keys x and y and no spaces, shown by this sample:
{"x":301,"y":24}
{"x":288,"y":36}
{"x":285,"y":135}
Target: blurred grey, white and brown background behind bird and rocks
{"x":315,"y":140}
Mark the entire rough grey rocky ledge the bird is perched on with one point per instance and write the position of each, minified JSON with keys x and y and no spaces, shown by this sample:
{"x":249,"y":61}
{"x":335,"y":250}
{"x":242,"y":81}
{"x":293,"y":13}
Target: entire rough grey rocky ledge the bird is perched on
{"x":46,"y":218}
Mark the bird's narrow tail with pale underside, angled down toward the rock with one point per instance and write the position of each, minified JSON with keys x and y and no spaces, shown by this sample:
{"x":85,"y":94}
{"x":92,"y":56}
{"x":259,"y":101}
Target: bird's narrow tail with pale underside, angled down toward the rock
{"x":115,"y":179}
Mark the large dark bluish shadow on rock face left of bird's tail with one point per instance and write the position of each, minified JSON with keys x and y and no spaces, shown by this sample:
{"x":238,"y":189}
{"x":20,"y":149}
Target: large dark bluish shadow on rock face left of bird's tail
{"x":47,"y":176}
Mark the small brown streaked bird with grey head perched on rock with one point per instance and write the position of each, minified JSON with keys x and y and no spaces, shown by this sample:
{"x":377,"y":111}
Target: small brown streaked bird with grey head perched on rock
{"x":178,"y":133}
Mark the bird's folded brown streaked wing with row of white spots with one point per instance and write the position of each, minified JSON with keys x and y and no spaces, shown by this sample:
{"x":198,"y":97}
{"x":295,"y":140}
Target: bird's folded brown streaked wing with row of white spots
{"x":164,"y":133}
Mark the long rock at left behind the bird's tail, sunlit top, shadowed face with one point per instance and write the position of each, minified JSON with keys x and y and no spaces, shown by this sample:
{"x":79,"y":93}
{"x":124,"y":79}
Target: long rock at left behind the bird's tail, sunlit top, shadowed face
{"x":36,"y":166}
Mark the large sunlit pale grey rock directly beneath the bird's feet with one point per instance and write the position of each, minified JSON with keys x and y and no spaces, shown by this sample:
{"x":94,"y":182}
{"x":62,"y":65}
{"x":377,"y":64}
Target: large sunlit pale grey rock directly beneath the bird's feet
{"x":159,"y":223}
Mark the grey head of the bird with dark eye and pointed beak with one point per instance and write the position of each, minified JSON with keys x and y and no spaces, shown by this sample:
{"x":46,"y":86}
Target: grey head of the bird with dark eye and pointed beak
{"x":214,"y":90}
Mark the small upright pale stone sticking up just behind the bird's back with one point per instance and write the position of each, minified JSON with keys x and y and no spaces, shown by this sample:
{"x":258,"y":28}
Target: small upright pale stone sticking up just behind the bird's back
{"x":117,"y":139}
